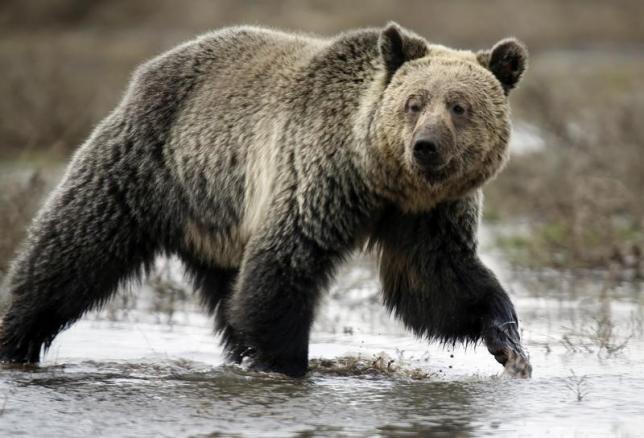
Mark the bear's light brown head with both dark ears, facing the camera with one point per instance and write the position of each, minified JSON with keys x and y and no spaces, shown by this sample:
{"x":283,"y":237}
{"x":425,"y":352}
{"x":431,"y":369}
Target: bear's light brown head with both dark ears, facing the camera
{"x":442,"y":123}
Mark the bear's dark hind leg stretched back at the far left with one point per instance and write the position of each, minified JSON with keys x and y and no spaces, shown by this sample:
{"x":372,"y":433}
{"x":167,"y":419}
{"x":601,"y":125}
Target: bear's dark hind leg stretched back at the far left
{"x":83,"y":244}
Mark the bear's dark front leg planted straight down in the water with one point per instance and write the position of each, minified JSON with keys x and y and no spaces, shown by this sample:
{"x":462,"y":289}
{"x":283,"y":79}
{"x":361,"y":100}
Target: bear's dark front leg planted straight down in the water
{"x":273,"y":304}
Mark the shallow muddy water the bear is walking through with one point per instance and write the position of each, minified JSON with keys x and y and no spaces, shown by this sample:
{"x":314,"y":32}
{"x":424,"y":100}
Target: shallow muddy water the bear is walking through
{"x":149,"y":368}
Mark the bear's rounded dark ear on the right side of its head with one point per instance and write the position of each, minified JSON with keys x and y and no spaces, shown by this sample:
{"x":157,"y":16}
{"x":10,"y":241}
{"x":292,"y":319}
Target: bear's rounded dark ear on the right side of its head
{"x":507,"y":60}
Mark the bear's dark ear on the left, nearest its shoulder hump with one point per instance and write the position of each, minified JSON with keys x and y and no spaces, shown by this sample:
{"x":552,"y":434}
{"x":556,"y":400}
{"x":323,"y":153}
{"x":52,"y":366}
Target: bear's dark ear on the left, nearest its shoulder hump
{"x":398,"y":46}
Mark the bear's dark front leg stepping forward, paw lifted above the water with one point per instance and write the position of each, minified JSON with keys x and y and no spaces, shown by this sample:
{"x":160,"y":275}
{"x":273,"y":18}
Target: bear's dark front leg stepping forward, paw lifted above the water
{"x":434,"y":281}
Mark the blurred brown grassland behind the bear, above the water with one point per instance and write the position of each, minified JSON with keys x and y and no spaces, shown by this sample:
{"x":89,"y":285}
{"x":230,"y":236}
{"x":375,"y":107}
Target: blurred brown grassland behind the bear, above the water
{"x":571,"y":198}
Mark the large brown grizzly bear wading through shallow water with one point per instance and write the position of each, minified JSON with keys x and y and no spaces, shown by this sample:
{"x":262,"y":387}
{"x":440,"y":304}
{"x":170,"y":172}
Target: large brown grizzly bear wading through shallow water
{"x":263,"y":159}
